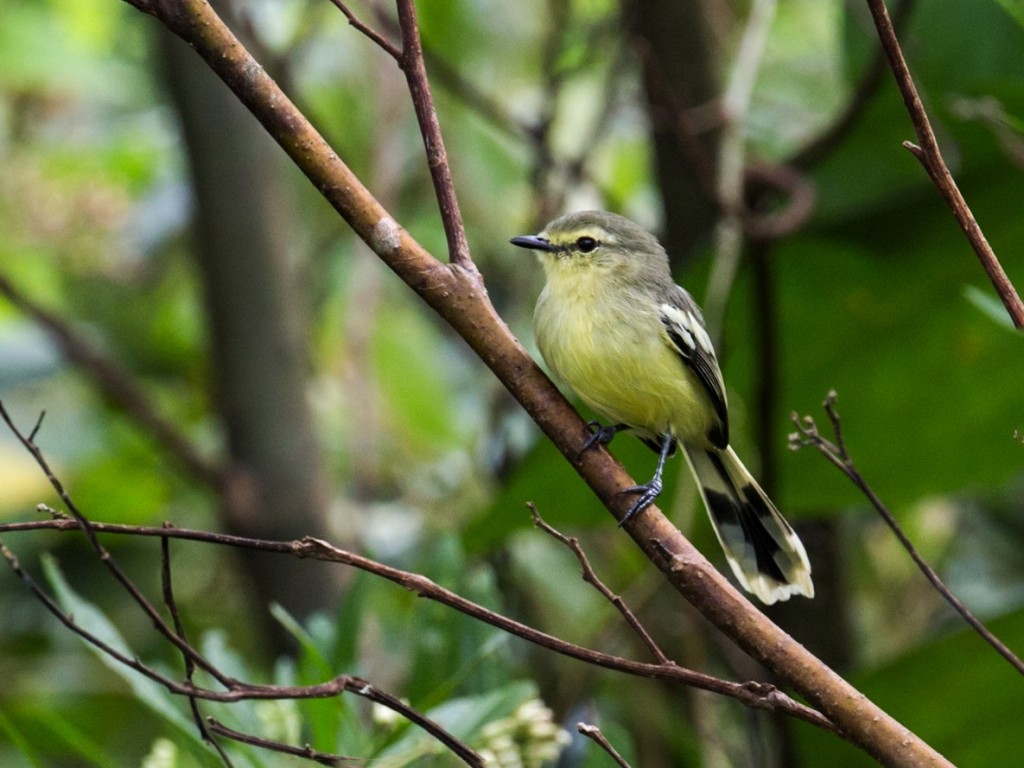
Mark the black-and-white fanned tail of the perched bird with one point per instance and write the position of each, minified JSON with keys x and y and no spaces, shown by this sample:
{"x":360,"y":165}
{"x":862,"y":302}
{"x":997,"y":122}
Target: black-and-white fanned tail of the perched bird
{"x":765,"y":554}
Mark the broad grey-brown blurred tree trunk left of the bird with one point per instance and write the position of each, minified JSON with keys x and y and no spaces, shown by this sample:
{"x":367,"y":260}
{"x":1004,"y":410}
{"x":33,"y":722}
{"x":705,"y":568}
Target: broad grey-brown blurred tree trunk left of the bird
{"x":257,"y":320}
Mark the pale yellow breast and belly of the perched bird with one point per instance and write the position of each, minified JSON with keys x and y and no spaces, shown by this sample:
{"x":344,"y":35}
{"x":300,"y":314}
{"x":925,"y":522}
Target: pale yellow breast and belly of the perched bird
{"x":615,"y":354}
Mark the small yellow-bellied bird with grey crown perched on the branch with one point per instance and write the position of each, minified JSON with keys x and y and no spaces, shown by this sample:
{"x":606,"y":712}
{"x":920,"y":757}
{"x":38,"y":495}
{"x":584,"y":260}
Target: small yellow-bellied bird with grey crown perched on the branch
{"x":612,"y":324}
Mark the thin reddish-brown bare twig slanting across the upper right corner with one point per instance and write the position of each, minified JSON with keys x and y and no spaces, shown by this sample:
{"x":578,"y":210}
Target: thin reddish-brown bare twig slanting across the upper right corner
{"x":928,"y":153}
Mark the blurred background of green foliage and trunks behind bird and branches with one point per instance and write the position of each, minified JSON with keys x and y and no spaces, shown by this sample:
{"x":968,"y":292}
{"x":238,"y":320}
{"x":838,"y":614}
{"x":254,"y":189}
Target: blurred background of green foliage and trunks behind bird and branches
{"x":301,"y":389}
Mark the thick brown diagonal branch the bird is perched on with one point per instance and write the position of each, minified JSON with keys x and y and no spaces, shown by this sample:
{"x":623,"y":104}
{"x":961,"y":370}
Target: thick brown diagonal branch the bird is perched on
{"x":457,"y":293}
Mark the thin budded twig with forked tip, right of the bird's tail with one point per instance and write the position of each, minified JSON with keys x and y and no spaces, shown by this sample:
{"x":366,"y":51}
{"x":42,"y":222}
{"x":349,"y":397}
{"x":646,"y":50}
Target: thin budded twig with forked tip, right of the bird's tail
{"x":837,"y":453}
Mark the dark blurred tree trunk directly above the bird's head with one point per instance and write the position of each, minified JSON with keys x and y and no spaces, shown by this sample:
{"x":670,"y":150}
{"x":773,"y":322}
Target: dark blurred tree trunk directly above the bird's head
{"x":675,"y":44}
